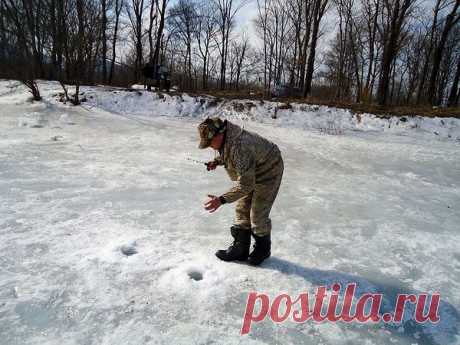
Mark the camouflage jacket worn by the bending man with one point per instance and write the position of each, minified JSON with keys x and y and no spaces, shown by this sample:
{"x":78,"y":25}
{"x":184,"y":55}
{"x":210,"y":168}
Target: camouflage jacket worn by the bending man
{"x":249,"y":159}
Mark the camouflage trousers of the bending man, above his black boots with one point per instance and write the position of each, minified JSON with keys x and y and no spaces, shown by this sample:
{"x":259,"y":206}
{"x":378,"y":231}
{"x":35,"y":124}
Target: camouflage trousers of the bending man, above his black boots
{"x":253,"y":210}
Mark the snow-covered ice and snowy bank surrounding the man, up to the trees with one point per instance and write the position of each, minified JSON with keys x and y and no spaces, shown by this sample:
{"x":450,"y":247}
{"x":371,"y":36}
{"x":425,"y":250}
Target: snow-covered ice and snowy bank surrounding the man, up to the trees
{"x":103,"y":238}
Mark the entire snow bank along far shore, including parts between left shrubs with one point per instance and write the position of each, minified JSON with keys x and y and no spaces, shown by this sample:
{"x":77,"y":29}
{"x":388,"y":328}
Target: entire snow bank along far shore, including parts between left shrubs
{"x":140,"y":103}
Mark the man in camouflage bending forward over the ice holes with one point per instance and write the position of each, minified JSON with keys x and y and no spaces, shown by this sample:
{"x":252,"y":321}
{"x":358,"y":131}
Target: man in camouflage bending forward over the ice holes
{"x":256,"y":165}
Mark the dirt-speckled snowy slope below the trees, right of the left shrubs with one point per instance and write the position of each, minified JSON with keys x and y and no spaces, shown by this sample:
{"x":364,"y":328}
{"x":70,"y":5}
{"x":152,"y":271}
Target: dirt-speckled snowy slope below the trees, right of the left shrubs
{"x":310,"y":117}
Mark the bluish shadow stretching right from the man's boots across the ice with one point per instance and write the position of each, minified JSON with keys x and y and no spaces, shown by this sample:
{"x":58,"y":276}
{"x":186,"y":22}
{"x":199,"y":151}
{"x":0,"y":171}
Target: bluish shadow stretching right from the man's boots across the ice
{"x":444,"y":332}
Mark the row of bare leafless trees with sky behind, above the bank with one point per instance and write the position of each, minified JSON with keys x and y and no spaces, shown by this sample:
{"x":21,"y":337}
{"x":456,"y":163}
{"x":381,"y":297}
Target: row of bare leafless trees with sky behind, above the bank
{"x":398,"y":52}
